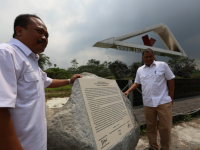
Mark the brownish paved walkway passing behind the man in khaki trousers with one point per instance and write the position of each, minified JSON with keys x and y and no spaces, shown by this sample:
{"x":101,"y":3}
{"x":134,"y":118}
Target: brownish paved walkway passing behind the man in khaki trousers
{"x":181,"y":106}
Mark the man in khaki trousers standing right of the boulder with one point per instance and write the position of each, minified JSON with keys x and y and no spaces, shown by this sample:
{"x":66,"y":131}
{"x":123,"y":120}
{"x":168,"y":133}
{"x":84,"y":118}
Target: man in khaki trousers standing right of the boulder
{"x":157,"y":98}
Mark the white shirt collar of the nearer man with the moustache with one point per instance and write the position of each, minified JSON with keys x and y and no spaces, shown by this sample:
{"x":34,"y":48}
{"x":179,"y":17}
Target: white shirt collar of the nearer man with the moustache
{"x":21,"y":46}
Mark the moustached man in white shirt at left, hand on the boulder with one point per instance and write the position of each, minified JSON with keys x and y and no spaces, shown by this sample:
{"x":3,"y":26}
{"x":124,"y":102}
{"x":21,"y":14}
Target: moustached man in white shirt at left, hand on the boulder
{"x":22,"y":83}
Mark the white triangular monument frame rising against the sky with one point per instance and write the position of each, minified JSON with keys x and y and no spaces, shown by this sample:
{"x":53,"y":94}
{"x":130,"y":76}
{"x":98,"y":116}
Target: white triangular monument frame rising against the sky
{"x":173,"y":47}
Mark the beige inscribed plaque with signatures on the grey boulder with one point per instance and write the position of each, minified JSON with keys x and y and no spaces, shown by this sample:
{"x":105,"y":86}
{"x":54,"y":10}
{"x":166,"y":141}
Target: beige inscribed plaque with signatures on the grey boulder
{"x":106,"y":109}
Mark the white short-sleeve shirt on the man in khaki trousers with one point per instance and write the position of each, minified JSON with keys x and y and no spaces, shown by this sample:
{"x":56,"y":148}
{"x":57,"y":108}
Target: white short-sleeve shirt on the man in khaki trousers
{"x":154,"y":83}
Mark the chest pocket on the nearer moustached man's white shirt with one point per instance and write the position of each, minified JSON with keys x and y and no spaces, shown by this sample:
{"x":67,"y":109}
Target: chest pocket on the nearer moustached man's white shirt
{"x":31,"y":81}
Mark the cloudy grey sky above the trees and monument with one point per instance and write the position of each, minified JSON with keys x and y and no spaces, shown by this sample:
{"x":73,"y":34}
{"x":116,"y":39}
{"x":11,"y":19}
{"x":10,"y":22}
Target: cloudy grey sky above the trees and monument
{"x":75,"y":26}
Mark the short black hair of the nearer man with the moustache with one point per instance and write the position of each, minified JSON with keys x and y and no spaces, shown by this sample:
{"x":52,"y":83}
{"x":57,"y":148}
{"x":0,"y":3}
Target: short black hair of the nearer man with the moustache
{"x":22,"y":21}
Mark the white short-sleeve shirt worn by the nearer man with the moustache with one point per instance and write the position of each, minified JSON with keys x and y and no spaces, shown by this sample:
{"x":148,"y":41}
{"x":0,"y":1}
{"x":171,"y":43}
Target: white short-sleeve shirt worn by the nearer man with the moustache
{"x":22,"y":85}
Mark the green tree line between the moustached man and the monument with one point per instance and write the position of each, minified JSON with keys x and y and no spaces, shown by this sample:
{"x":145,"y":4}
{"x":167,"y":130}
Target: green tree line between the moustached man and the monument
{"x":93,"y":66}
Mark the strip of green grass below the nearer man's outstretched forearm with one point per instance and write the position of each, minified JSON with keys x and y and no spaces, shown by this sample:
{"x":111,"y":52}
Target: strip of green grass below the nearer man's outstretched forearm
{"x":64,"y":91}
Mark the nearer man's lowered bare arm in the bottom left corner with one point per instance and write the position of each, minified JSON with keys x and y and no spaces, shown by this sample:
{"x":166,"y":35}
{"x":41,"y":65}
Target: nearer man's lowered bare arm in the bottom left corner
{"x":8,"y":138}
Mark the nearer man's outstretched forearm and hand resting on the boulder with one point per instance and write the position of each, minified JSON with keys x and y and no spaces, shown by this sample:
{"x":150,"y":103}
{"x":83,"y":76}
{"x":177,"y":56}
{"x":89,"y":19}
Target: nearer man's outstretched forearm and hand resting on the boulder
{"x":62,"y":82}
